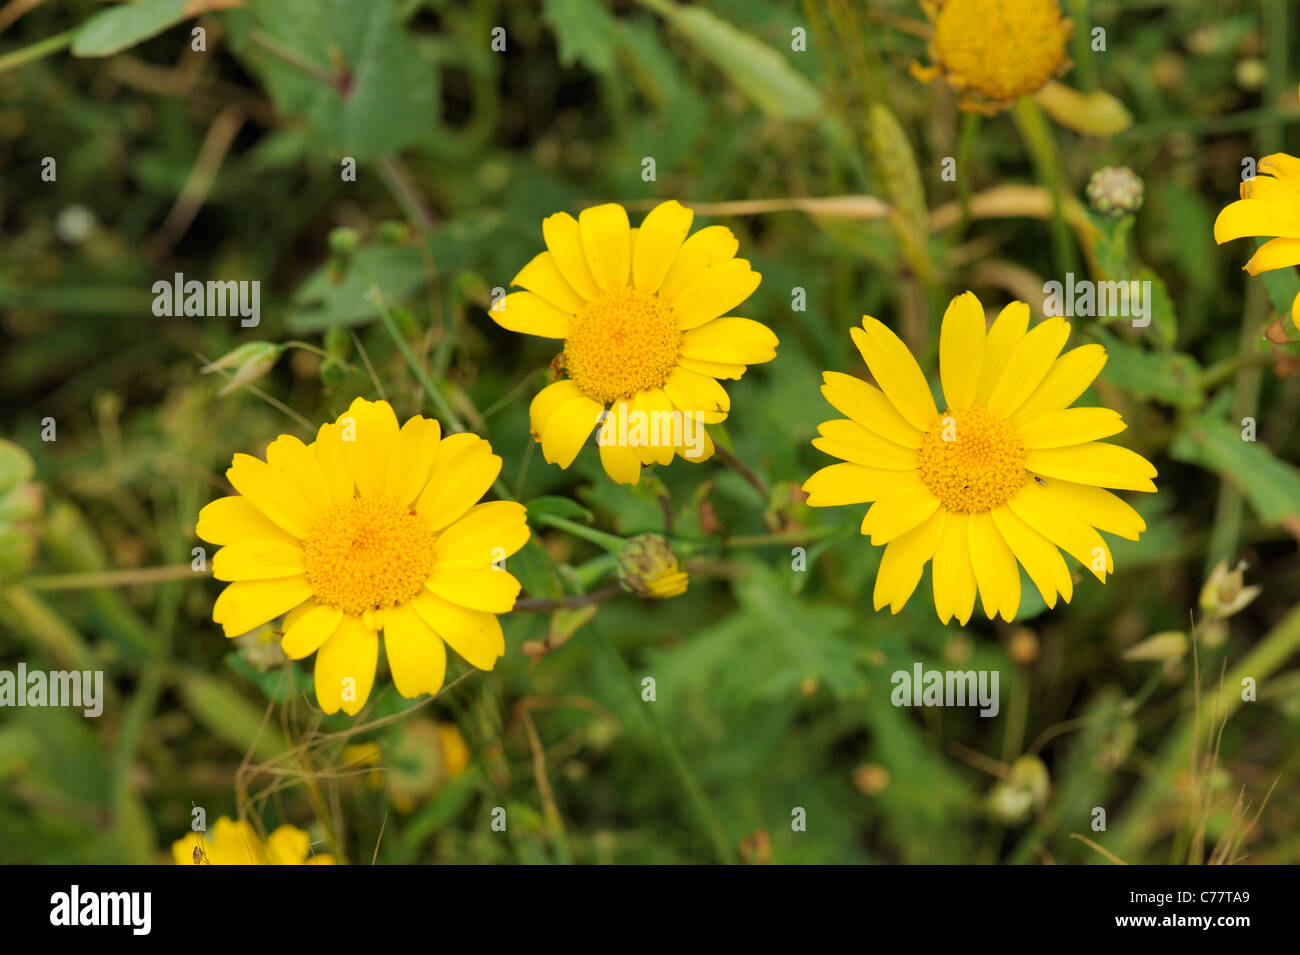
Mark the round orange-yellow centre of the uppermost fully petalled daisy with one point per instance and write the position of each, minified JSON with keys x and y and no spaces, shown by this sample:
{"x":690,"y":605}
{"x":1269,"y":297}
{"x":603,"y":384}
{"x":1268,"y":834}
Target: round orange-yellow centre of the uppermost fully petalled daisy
{"x":621,"y":344}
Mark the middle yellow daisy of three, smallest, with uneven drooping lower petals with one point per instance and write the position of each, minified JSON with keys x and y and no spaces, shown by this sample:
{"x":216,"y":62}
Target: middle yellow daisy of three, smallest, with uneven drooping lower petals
{"x":644,"y":318}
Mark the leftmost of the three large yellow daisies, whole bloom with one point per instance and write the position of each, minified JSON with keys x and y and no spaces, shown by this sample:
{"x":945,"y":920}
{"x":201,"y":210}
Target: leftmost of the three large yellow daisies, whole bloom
{"x":370,"y":528}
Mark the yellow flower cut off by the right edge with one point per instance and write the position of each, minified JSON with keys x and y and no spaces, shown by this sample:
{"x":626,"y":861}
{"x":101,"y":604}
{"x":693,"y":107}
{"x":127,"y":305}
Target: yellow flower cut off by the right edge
{"x":1269,"y":207}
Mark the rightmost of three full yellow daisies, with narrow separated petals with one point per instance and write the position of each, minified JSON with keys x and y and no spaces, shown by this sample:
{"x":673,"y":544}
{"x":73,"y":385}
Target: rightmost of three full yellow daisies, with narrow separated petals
{"x":1007,"y":475}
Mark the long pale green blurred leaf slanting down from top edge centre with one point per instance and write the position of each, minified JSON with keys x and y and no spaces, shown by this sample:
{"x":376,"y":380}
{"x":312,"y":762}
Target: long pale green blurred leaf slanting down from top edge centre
{"x":752,"y":67}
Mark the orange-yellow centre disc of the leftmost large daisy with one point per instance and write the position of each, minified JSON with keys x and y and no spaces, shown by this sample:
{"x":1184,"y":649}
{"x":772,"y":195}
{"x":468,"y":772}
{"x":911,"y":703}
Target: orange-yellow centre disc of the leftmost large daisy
{"x":369,"y":555}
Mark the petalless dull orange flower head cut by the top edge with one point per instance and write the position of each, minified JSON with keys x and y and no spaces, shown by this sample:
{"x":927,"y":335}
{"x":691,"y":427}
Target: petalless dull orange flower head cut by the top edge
{"x":1002,"y":49}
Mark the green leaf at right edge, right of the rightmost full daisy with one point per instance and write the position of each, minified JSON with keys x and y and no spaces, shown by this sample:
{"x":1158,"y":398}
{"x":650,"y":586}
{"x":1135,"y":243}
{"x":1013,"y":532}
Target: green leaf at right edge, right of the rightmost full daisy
{"x":1269,"y":484}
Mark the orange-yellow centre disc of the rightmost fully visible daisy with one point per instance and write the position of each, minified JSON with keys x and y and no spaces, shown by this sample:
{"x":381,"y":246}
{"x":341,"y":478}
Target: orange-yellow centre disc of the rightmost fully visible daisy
{"x":973,"y":461}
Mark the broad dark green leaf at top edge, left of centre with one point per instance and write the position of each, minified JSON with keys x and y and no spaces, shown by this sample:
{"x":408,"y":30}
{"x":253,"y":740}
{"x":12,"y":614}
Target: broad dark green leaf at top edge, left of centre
{"x":384,"y":90}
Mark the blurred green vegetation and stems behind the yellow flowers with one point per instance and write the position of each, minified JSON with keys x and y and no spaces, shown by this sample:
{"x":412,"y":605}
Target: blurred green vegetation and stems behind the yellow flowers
{"x":773,"y":687}
